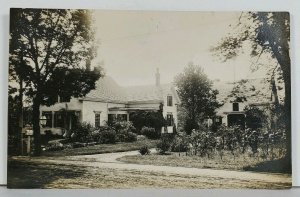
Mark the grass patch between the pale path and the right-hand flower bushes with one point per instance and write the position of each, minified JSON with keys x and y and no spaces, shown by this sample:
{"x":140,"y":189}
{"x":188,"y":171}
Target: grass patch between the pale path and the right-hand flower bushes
{"x":242,"y":162}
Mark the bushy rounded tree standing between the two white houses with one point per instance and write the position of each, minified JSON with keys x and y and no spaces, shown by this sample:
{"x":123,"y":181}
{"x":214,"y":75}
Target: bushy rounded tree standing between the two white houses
{"x":197,"y":96}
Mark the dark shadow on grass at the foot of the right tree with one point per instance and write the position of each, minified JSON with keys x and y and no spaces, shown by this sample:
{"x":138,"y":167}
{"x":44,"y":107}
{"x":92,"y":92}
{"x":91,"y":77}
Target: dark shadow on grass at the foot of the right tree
{"x":274,"y":166}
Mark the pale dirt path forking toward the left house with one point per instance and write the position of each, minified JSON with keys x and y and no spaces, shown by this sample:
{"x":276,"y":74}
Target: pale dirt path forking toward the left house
{"x":109,"y":161}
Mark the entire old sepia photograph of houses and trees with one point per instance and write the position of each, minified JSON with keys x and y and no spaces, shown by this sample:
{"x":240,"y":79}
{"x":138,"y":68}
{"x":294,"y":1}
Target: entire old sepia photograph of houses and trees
{"x":149,"y":99}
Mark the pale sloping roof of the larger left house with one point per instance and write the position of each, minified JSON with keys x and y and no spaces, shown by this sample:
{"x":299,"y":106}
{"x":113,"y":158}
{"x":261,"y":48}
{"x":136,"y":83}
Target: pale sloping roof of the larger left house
{"x":108,"y":90}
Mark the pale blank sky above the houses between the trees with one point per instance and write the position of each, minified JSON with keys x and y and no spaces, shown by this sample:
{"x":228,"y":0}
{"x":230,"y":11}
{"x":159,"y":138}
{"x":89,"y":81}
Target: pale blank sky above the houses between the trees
{"x":134,"y":43}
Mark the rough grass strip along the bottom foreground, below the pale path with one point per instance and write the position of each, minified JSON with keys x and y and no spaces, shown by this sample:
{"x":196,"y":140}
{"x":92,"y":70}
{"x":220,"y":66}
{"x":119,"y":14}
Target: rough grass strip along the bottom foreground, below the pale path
{"x":30,"y":174}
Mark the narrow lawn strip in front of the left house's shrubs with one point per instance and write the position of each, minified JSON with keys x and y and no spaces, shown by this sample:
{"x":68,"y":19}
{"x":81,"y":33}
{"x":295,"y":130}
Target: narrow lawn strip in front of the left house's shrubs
{"x":104,"y":148}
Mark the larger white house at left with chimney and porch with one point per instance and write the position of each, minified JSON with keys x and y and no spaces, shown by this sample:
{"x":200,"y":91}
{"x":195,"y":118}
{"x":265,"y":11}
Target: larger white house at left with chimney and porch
{"x":110,"y":101}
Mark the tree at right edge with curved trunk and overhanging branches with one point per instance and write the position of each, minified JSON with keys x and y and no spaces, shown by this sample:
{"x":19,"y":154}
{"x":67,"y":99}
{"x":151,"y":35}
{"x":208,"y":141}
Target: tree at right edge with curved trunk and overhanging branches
{"x":267,"y":32}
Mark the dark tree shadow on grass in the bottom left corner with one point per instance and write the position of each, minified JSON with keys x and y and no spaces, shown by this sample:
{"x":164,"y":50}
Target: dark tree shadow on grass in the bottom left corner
{"x":28,"y":175}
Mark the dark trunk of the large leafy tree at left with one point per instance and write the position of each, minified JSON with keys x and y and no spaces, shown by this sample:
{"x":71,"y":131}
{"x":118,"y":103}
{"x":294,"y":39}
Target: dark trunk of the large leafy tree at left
{"x":36,"y":124}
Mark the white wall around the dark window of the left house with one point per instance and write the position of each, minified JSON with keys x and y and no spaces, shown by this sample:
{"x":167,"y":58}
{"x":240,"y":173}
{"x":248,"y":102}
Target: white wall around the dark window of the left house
{"x":90,"y":107}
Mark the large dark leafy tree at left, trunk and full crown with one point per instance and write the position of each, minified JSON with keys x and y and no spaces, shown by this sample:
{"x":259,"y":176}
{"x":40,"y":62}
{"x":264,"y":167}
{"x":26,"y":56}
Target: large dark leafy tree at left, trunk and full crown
{"x":51,"y":52}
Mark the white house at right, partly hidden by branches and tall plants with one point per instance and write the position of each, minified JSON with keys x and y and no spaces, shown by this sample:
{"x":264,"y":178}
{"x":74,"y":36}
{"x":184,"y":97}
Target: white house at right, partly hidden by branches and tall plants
{"x":251,"y":92}
